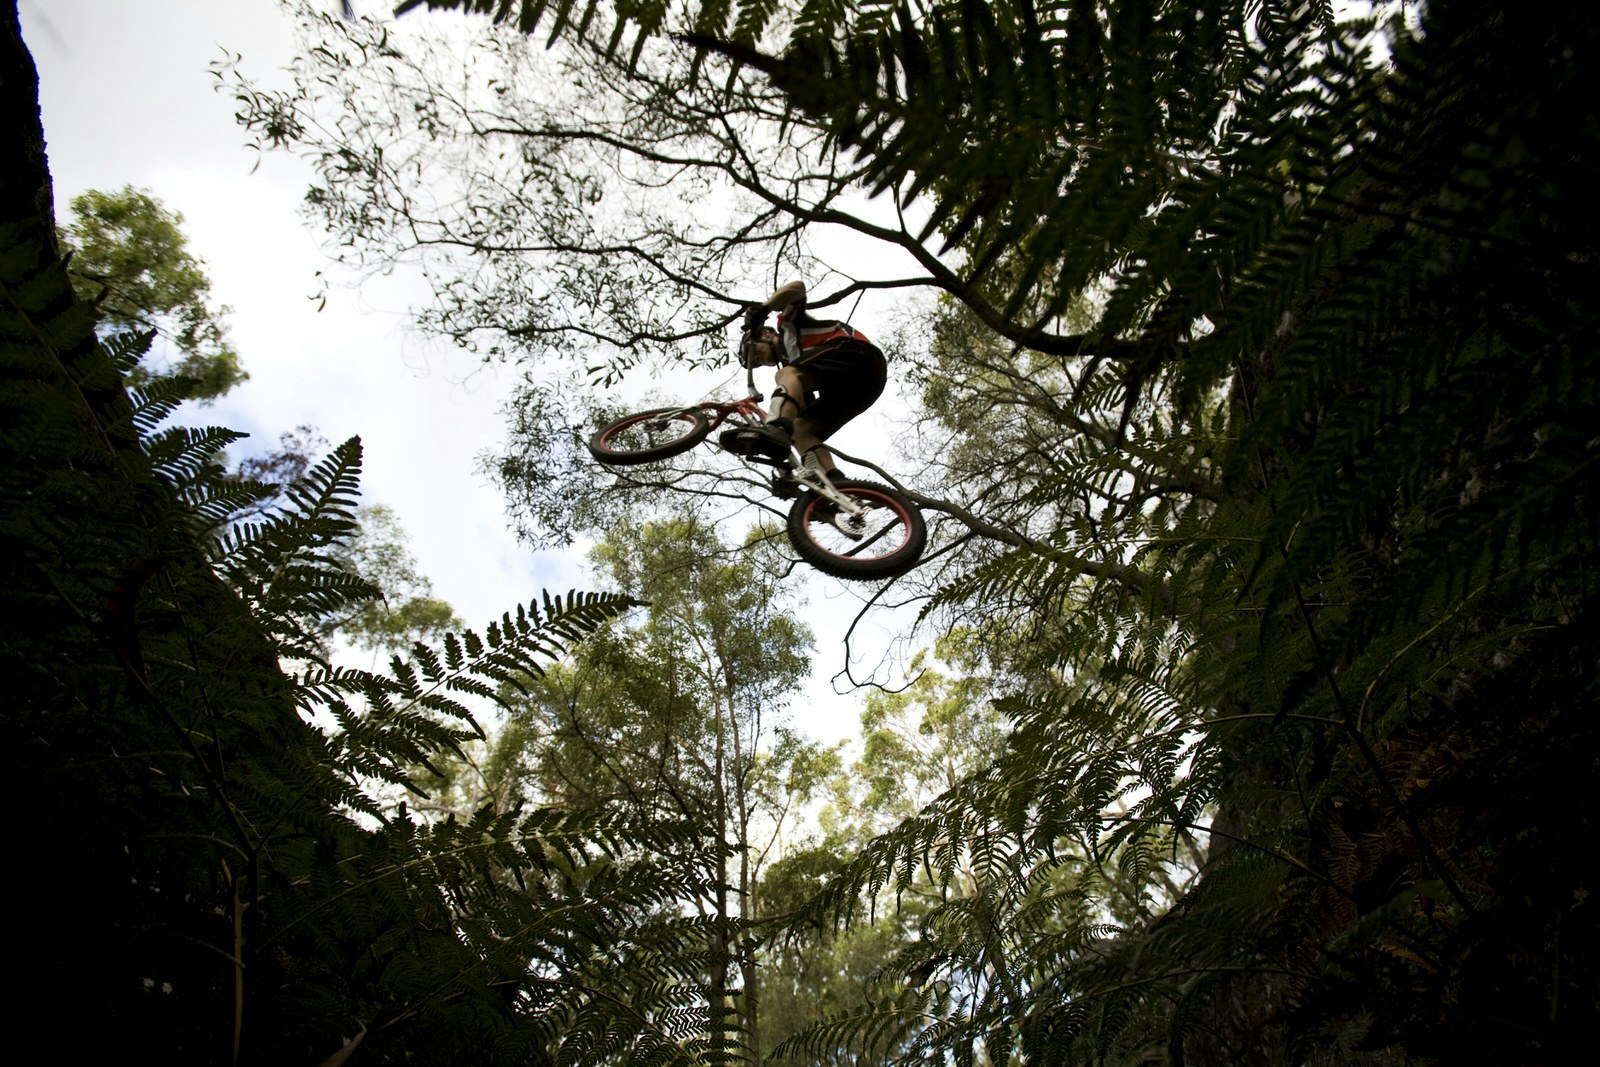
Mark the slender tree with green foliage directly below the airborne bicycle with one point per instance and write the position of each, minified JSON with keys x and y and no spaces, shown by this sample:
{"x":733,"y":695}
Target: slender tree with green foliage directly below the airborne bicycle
{"x":679,"y":717}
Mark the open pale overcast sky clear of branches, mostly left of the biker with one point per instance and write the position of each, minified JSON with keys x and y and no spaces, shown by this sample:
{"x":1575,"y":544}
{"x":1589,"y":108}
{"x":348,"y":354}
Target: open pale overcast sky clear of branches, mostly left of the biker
{"x":127,"y":97}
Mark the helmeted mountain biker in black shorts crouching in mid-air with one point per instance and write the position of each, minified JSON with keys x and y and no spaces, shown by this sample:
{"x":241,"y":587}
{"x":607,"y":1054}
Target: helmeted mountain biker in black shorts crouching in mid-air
{"x":828,"y":374}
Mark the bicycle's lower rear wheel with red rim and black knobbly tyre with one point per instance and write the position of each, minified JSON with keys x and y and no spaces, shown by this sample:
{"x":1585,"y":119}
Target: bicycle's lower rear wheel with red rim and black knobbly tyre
{"x":886,"y":541}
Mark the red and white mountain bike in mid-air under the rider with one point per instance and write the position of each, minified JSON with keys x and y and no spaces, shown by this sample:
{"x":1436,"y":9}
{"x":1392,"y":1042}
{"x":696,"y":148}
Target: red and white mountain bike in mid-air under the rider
{"x":852,"y":530}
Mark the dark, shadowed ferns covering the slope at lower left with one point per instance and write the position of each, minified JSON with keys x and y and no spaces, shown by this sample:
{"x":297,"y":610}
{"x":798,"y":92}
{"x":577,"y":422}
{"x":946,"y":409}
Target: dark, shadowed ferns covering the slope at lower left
{"x":255,"y":895}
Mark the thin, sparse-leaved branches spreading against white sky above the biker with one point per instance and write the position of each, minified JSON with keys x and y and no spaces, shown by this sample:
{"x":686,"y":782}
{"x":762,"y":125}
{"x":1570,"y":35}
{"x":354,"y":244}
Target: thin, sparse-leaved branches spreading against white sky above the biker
{"x":585,"y":218}
